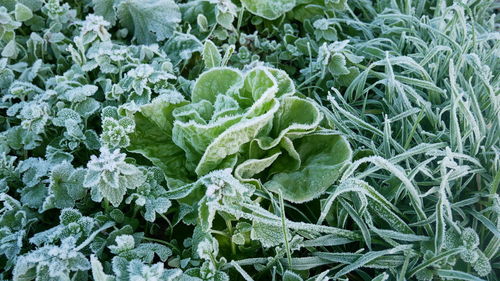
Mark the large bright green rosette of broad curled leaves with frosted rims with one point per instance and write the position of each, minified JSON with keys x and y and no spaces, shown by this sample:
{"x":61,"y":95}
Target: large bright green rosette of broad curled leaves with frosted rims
{"x":253,"y":123}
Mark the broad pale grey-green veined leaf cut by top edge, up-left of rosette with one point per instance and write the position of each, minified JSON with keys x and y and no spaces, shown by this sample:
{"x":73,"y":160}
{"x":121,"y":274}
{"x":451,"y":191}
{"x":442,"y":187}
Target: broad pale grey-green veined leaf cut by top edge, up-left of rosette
{"x":149,"y":20}
